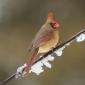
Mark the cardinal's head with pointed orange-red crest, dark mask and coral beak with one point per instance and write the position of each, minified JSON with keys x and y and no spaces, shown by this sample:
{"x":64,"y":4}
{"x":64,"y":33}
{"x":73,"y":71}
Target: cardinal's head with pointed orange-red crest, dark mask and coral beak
{"x":51,"y":20}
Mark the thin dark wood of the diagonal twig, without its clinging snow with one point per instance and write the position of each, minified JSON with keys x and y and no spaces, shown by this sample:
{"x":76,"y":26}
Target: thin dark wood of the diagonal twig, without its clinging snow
{"x":48,"y":53}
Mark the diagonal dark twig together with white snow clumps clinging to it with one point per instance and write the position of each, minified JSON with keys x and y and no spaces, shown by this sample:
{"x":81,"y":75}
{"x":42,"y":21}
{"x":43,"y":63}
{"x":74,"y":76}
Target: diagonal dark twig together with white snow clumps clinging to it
{"x":44,"y":60}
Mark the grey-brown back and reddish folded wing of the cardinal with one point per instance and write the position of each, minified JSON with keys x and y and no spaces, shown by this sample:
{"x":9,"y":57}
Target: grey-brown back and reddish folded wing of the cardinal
{"x":42,"y":37}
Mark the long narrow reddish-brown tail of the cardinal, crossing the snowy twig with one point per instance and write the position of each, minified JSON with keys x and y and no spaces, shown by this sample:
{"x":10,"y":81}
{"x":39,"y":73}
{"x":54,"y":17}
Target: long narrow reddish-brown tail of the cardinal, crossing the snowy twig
{"x":30,"y":62}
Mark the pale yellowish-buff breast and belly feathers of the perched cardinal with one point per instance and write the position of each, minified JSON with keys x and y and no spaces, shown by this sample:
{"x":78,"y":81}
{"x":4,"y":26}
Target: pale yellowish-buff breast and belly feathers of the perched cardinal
{"x":50,"y":44}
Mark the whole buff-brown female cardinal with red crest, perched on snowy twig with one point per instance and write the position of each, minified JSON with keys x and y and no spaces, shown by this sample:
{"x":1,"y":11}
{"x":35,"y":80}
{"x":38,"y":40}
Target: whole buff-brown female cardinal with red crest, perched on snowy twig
{"x":46,"y":39}
